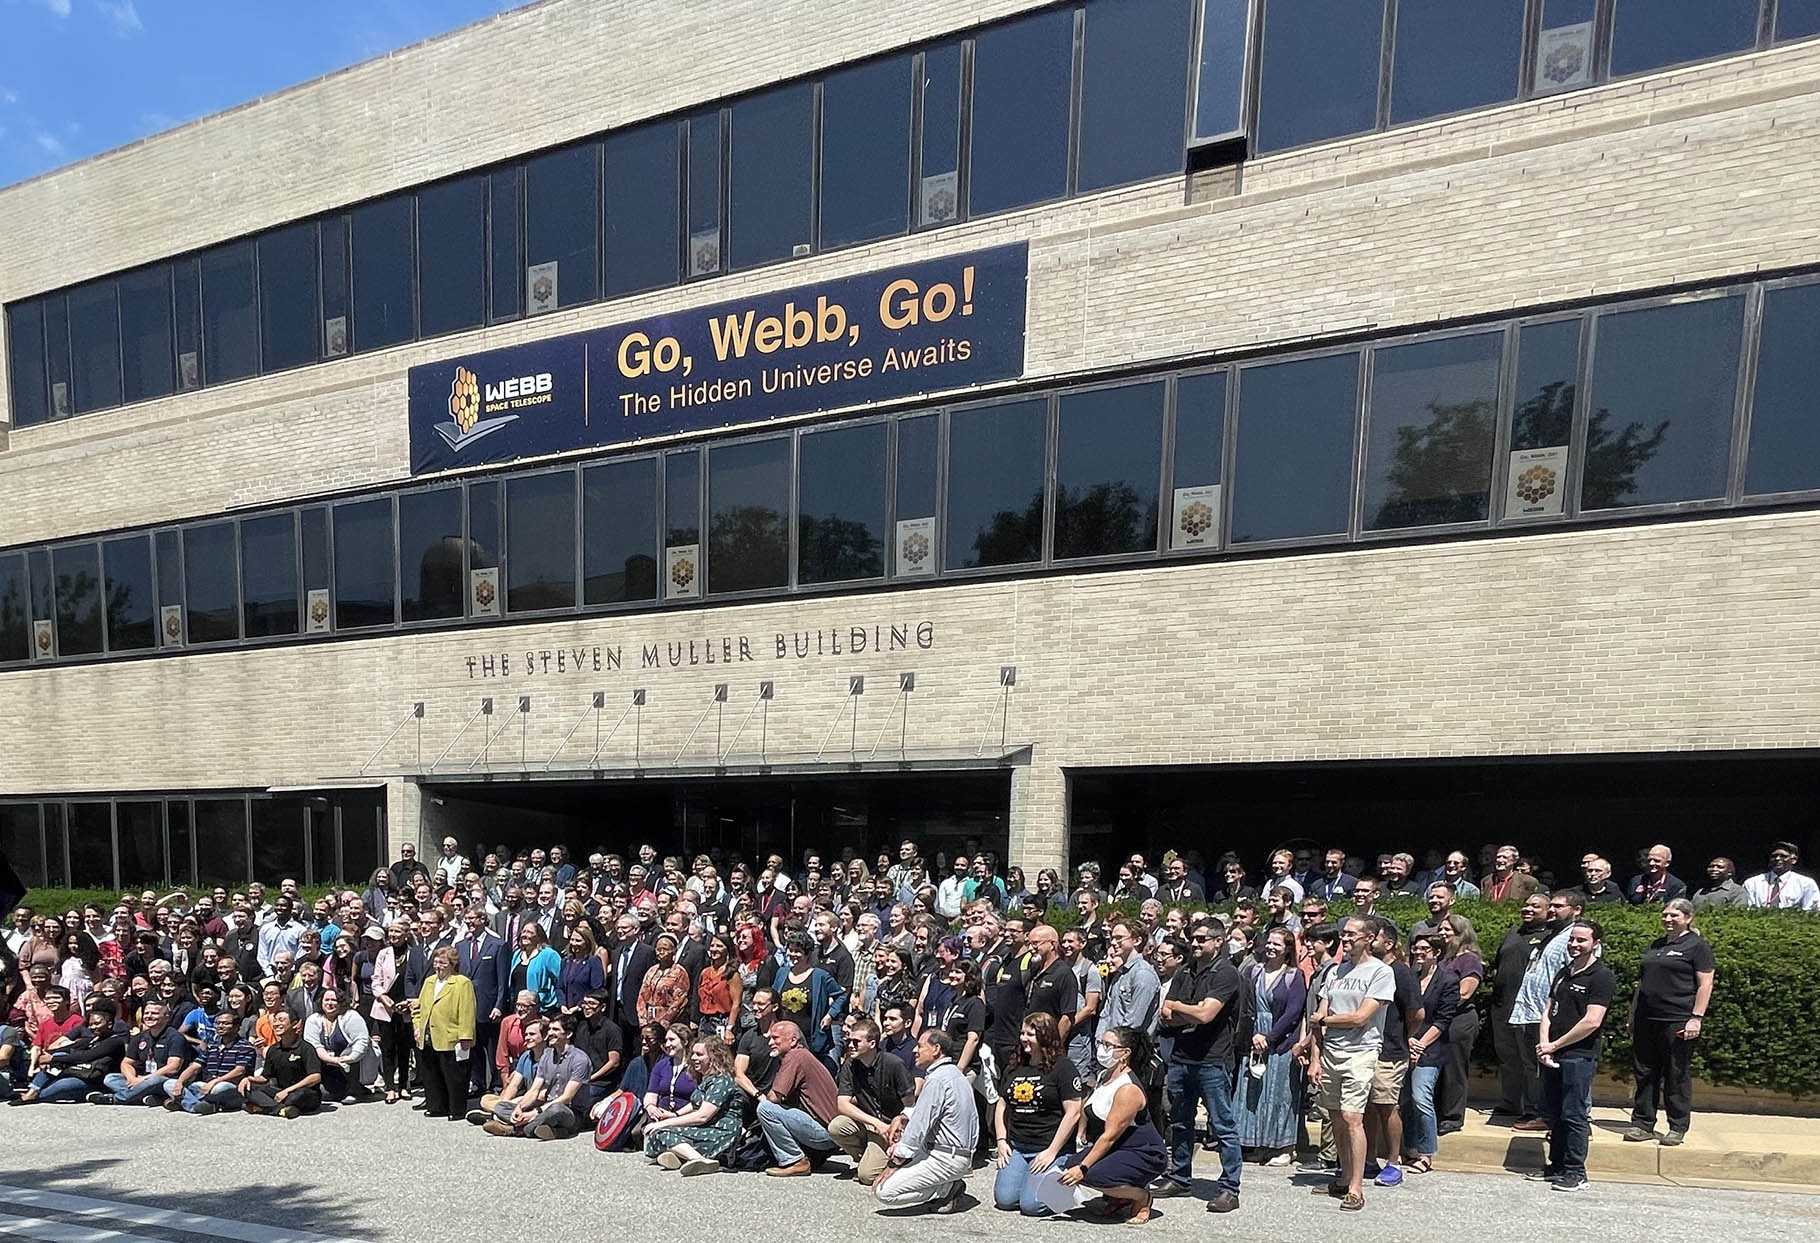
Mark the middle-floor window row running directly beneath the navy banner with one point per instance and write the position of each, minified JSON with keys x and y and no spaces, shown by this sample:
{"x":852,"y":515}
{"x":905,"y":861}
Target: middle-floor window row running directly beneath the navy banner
{"x":1694,"y":401}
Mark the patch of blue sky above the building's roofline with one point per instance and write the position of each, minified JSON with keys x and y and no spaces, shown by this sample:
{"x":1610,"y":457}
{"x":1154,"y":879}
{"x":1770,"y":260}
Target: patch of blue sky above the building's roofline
{"x":79,"y":77}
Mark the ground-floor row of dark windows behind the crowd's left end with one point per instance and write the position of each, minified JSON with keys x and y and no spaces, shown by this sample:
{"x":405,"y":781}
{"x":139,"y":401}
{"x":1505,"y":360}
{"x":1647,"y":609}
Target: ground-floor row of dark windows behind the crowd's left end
{"x":207,"y":840}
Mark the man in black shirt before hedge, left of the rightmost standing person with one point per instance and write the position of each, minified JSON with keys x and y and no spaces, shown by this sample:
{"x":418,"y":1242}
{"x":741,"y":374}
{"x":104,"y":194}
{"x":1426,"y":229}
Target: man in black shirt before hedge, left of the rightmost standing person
{"x":1579,"y":1002}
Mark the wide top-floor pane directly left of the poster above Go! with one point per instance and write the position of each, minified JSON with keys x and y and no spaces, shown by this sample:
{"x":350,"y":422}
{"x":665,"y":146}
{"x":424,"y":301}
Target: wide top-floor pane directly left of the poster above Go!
{"x":865,"y":152}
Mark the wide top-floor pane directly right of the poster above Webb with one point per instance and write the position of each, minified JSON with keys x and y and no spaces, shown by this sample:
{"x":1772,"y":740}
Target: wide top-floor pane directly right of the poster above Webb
{"x":769,"y":176}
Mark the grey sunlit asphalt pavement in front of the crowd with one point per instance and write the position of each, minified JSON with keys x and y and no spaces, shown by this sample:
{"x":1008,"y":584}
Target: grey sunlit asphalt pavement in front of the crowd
{"x":374,"y":1173}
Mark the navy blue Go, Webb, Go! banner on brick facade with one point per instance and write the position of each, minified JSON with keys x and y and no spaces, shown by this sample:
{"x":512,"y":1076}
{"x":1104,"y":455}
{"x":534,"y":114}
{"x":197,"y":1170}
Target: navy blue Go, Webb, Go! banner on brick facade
{"x":922,"y":328}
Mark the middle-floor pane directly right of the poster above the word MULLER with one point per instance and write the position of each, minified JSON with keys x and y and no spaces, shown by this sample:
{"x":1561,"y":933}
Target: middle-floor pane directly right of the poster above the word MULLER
{"x":749,"y":516}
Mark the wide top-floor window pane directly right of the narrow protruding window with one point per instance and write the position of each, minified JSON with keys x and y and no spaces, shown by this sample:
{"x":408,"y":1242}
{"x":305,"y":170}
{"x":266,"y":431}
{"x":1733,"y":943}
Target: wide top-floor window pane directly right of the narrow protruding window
{"x":1320,"y":72}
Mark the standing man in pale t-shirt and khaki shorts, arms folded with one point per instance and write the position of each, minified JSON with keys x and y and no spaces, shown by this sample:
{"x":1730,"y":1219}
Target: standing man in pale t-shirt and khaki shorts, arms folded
{"x":1348,"y":1031}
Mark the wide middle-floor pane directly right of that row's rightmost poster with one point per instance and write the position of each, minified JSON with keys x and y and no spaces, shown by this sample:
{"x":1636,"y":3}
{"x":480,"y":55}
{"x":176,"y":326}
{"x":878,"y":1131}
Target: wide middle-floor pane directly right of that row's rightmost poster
{"x":1664,"y":383}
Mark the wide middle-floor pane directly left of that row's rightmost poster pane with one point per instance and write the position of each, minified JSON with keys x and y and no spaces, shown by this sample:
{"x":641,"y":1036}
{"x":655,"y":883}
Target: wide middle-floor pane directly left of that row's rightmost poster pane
{"x":1433,"y":421}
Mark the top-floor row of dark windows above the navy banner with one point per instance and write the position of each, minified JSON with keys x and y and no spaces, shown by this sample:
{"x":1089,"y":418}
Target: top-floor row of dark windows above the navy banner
{"x":1066,"y":101}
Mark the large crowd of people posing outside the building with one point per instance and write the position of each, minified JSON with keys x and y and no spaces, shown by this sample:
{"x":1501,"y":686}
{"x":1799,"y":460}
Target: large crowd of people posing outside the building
{"x":916,"y":1015}
